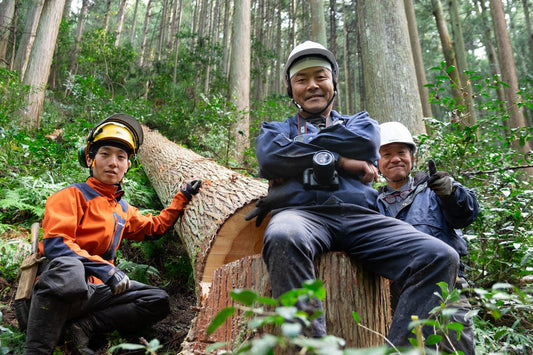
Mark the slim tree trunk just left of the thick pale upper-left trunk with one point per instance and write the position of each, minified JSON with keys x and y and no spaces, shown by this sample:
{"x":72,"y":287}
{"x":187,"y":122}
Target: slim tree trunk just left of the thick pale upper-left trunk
{"x":28,"y":36}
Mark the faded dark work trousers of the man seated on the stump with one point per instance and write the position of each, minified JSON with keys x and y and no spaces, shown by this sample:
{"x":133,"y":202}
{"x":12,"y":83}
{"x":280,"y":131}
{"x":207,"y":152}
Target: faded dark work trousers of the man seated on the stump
{"x":384,"y":245}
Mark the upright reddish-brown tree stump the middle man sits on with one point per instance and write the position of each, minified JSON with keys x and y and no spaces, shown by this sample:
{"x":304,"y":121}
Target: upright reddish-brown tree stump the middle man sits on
{"x":360,"y":291}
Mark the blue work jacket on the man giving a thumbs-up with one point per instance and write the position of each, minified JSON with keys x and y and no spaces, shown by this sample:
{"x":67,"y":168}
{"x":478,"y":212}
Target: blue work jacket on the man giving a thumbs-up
{"x":440,"y":217}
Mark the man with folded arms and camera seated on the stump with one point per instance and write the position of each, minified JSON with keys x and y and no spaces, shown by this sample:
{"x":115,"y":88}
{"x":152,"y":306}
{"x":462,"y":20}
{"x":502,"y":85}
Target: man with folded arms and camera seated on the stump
{"x":320,"y":165}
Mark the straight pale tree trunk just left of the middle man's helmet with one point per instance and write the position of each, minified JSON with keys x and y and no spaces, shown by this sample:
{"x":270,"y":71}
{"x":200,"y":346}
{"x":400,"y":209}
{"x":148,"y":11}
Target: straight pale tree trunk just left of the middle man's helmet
{"x":240,"y":76}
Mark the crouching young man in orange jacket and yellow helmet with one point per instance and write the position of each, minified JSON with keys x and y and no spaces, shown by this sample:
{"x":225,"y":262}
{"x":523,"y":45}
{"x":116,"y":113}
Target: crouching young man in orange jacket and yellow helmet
{"x":79,"y":288}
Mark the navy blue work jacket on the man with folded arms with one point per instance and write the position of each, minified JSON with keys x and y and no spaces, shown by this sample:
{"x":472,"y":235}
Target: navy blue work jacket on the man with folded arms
{"x":285,"y":150}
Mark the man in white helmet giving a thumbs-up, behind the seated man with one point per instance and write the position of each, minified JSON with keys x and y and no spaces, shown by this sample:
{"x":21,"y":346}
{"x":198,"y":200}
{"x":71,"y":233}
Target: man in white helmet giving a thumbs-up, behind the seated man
{"x":434,"y":204}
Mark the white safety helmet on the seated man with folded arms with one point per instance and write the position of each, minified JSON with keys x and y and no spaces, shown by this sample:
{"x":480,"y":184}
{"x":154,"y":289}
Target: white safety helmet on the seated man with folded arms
{"x":309,"y":49}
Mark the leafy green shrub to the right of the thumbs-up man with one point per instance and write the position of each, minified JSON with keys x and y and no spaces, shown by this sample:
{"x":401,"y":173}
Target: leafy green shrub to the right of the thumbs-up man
{"x":488,"y":159}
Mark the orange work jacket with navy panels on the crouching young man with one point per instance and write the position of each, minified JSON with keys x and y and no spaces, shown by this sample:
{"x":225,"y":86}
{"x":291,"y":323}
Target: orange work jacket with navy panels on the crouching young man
{"x":88,"y":221}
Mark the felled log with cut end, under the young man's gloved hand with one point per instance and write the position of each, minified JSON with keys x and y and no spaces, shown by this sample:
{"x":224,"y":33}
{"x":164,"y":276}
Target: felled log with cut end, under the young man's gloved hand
{"x":213,"y":227}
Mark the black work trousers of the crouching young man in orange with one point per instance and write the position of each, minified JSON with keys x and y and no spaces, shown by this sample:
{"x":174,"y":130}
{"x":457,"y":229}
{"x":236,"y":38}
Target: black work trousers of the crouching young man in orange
{"x":62,"y":294}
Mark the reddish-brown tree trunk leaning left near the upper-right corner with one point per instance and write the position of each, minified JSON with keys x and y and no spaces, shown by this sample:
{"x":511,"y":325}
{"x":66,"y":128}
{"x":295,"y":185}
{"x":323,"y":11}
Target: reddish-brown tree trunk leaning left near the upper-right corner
{"x":508,"y":70}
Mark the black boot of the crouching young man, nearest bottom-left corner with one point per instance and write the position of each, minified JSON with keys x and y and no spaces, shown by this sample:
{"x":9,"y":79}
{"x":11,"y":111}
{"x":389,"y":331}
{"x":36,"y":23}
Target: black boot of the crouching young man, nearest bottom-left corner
{"x":47,"y":316}
